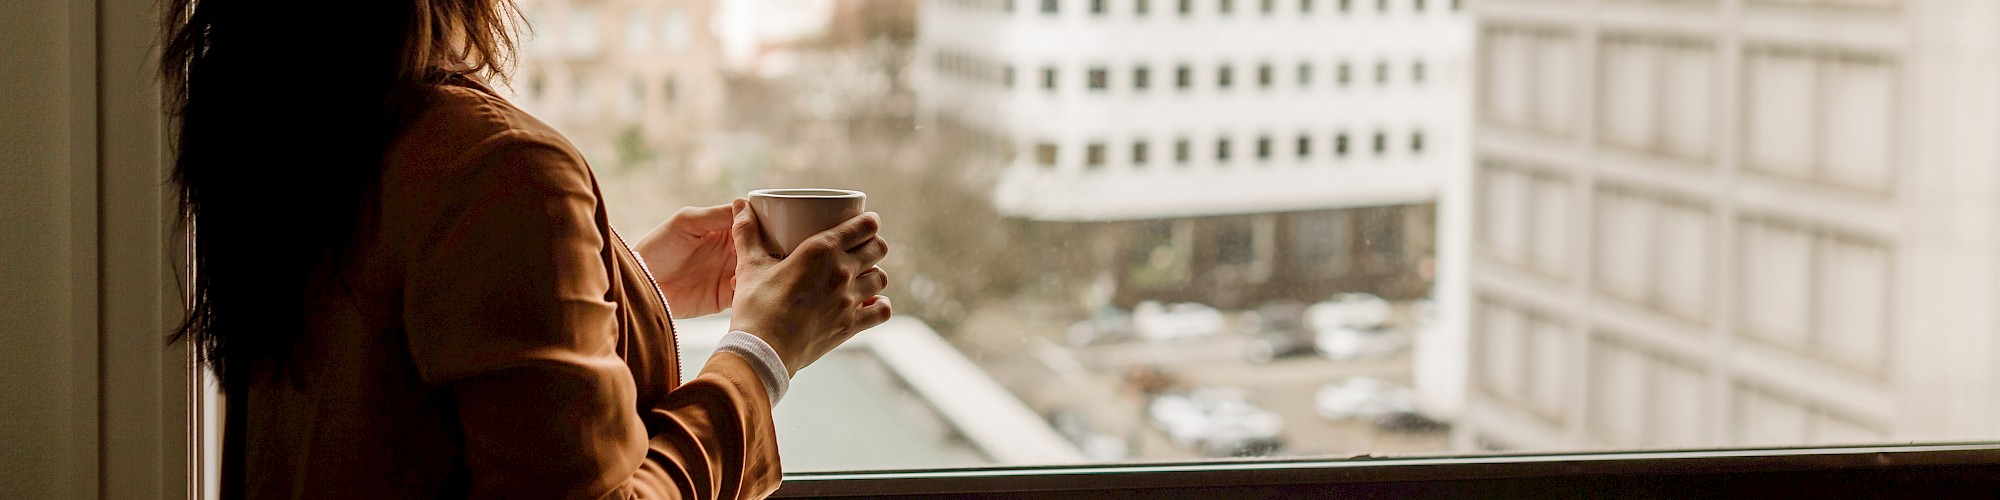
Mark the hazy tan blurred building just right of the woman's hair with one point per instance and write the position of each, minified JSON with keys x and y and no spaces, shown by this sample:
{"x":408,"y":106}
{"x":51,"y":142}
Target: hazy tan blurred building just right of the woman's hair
{"x":631,"y":83}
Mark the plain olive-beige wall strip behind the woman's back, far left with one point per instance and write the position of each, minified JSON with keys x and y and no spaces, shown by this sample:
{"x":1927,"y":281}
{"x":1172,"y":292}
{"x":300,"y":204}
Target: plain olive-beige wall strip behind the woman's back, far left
{"x":95,"y":403}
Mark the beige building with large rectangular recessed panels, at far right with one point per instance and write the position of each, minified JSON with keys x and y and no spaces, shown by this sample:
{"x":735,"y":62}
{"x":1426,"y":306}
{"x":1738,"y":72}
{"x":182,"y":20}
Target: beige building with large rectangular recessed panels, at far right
{"x":1735,"y":223}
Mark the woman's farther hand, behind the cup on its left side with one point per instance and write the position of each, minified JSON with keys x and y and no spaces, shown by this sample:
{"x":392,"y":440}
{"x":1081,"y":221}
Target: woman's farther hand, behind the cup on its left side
{"x":693,"y":259}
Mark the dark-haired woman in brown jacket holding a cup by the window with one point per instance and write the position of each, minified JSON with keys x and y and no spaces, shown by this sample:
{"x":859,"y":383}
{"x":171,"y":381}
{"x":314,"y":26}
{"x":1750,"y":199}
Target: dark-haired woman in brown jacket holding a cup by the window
{"x":409,"y":287}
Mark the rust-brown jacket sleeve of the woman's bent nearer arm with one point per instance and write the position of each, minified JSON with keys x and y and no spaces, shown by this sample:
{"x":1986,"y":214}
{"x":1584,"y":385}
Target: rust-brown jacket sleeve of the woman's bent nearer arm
{"x":505,"y":305}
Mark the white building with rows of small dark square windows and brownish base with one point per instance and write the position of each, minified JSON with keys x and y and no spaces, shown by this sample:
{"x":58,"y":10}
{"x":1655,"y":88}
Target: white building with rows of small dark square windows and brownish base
{"x":1235,"y":151}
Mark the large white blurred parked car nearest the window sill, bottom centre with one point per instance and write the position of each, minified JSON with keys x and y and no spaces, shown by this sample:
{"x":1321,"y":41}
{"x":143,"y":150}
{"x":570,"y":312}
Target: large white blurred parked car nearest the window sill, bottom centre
{"x":1217,"y":423}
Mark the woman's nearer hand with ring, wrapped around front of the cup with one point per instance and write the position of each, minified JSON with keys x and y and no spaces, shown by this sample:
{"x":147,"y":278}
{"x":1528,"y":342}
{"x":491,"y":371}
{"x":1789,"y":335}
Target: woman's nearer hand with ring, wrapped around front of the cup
{"x":815,"y":299}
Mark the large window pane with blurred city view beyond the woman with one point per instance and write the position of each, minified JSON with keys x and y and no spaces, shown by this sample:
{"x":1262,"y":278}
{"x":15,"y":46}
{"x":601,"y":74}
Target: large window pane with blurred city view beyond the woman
{"x":1511,"y":231}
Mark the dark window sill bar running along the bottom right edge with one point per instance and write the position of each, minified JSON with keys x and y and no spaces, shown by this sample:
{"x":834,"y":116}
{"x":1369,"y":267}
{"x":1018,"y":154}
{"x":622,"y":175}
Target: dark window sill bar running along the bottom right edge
{"x":1849,"y":471}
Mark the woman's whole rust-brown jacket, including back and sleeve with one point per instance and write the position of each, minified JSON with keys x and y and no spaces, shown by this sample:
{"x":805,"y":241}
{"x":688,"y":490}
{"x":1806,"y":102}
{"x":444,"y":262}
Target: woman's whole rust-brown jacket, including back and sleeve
{"x":495,"y":341}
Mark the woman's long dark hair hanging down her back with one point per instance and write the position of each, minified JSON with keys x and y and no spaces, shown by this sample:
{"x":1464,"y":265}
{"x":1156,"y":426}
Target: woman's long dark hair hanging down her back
{"x":285,"y":111}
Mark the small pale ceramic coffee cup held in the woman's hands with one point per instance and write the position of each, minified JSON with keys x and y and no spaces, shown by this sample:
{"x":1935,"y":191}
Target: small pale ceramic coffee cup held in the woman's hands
{"x":793,"y":215}
